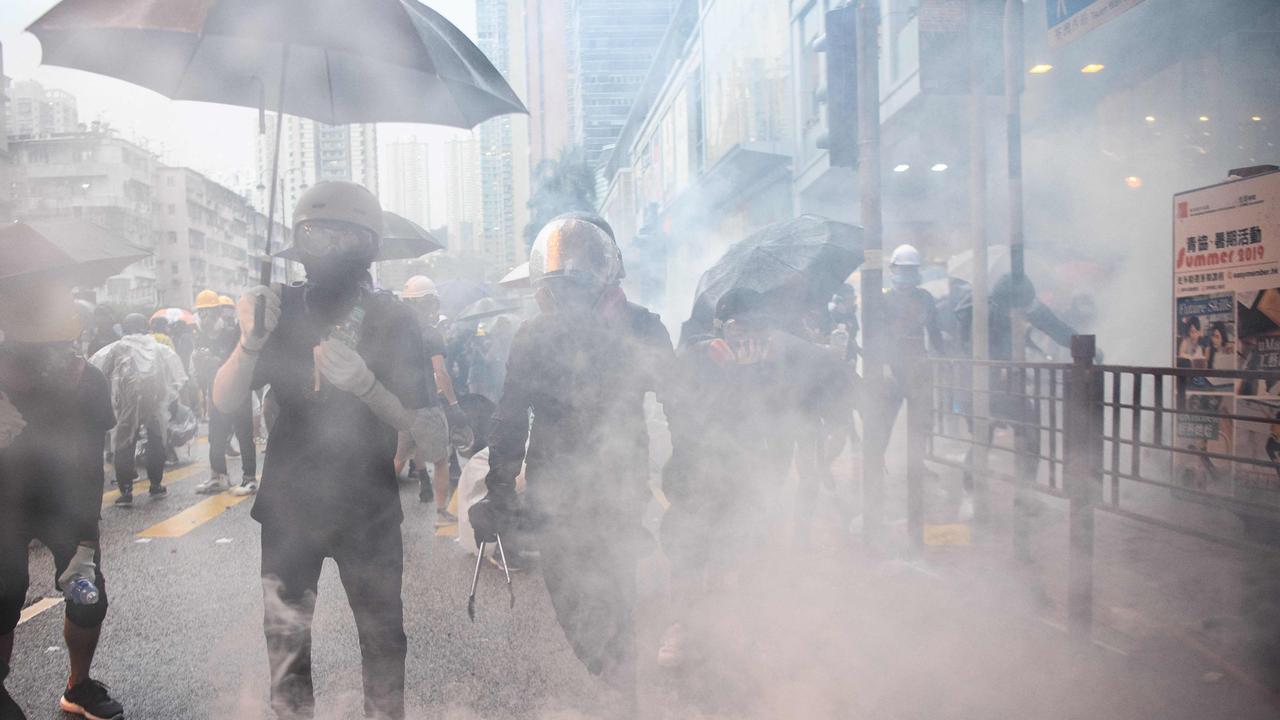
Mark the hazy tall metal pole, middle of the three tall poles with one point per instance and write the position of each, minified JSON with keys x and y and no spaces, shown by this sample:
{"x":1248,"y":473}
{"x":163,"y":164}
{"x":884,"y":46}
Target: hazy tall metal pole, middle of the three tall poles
{"x":979,"y":230}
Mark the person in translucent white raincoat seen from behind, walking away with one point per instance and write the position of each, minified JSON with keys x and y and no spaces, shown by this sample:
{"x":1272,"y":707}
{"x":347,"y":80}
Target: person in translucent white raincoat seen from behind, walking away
{"x":145,"y":377}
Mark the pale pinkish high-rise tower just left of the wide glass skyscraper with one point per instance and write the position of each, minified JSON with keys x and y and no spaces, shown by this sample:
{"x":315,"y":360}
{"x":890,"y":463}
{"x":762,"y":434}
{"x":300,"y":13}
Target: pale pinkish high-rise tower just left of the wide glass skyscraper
{"x":551,"y":80}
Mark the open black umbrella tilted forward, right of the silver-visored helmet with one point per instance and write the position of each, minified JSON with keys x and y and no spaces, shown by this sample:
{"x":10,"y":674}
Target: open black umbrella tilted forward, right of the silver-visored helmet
{"x":796,"y":265}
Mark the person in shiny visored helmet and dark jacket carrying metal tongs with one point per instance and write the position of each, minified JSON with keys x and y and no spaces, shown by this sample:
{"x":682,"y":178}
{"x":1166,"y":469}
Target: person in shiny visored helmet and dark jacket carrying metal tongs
{"x":583,"y":368}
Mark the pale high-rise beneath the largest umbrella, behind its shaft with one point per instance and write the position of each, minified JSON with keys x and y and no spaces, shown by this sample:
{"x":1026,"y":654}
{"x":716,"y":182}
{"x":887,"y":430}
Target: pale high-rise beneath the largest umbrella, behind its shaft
{"x":313,"y":152}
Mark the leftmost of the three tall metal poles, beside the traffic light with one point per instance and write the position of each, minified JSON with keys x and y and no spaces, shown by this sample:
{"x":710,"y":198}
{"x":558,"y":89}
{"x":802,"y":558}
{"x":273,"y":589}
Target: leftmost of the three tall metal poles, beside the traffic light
{"x":872,"y":280}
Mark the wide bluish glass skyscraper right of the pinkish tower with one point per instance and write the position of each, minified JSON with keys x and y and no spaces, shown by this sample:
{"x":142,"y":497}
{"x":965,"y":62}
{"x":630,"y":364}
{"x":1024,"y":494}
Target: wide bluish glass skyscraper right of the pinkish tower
{"x":612,"y":45}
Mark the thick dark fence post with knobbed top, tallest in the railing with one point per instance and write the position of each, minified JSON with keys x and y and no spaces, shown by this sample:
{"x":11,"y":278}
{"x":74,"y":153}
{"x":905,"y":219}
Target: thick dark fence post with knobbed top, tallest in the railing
{"x":1082,"y":467}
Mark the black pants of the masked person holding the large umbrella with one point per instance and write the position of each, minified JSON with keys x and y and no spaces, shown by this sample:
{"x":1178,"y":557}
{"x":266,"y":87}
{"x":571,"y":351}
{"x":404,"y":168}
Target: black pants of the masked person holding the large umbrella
{"x":371,"y":563}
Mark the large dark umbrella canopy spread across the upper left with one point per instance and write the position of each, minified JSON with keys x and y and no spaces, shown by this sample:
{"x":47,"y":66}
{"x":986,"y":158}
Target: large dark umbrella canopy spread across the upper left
{"x":376,"y":61}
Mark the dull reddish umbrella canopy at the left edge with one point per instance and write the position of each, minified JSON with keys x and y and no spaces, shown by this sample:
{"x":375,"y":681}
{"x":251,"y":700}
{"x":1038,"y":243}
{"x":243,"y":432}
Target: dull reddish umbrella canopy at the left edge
{"x":74,"y":252}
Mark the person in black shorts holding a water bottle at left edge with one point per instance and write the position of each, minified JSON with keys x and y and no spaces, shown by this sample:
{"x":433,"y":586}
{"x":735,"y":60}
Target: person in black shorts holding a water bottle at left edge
{"x":56,"y":411}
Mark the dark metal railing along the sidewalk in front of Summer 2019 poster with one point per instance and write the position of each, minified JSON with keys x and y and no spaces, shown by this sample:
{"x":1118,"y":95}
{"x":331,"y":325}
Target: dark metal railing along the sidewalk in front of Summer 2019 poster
{"x":1159,"y":446}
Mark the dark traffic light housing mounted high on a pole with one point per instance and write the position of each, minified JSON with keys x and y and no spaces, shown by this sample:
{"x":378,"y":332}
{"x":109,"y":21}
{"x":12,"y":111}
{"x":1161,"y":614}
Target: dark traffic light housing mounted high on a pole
{"x":842,"y":48}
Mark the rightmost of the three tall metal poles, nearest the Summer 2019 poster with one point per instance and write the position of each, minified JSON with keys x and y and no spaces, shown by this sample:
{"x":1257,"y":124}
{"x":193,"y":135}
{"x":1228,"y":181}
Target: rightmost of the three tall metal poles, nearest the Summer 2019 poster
{"x":1014,"y":112}
